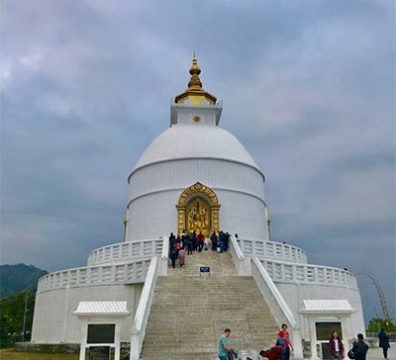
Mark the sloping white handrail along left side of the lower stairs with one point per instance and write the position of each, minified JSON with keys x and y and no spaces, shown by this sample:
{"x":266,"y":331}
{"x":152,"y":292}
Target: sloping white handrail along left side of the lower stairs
{"x":143,"y":310}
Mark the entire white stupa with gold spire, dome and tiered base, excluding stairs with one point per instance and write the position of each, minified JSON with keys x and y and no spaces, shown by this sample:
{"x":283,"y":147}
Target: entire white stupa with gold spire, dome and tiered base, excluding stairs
{"x":195,"y":176}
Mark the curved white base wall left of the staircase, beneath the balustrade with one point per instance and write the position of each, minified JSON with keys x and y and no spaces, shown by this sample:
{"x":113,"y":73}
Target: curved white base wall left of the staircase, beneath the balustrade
{"x":53,"y":320}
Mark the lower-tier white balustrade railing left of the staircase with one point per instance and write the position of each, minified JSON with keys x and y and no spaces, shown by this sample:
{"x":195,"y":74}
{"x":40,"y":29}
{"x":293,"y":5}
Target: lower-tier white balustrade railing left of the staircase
{"x":126,"y":273}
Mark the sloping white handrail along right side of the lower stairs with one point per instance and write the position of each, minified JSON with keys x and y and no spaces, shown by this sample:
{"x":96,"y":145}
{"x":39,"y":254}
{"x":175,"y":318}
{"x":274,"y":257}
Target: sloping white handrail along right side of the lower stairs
{"x":262,"y":277}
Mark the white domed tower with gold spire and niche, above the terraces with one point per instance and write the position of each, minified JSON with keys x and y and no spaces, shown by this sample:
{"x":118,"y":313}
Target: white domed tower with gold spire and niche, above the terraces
{"x":196,"y":176}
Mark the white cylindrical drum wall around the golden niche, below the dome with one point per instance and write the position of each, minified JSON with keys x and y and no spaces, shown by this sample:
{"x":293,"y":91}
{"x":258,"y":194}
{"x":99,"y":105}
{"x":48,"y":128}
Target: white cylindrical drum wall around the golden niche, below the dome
{"x":154,"y":191}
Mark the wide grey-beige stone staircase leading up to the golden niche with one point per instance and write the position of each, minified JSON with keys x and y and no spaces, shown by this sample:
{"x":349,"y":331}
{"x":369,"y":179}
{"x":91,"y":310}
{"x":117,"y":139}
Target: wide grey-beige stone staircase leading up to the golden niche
{"x":190,"y":312}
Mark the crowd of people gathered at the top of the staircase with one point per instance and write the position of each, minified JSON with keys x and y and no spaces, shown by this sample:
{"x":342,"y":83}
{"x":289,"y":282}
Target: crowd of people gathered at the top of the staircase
{"x":190,"y":242}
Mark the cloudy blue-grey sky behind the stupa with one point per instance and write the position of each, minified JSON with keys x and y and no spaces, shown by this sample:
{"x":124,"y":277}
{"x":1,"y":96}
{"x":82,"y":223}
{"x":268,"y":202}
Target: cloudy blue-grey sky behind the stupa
{"x":307,"y":86}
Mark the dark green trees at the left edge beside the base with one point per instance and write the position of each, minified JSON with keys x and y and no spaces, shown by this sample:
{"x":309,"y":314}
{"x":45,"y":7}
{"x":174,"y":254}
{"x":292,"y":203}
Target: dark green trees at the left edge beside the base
{"x":12,"y":317}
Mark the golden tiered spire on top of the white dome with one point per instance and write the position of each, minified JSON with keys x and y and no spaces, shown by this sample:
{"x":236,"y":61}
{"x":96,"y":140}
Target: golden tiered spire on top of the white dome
{"x":195,"y":92}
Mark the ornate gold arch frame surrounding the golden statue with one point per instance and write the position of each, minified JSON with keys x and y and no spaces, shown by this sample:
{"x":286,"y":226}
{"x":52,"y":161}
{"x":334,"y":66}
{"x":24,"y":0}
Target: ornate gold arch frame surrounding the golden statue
{"x":203,"y":191}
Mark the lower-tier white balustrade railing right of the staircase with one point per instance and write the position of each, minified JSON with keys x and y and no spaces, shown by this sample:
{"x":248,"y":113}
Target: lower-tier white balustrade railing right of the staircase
{"x":309,"y":274}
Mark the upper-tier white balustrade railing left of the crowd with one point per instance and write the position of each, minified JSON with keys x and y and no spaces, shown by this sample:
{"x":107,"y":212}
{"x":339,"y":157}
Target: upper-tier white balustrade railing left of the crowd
{"x":145,"y":248}
